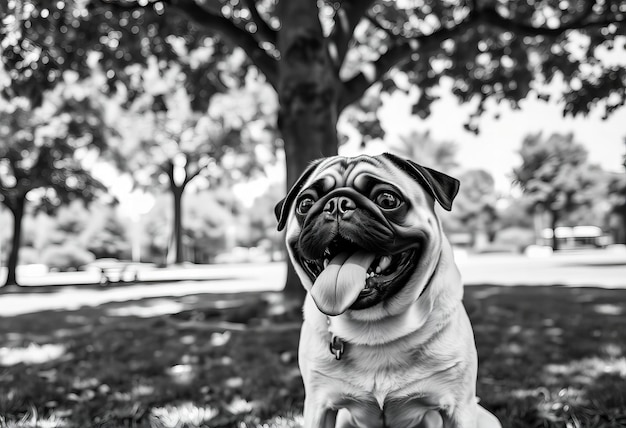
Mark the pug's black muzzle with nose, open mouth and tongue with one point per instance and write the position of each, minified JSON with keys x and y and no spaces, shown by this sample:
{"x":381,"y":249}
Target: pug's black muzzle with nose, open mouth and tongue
{"x":352,"y":254}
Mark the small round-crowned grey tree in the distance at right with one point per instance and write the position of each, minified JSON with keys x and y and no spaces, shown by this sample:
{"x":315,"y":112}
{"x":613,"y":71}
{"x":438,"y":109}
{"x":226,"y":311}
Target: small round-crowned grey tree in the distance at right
{"x":555,"y":174}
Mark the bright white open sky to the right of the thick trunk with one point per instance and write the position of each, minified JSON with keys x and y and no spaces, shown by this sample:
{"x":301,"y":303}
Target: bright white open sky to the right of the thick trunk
{"x":495,"y":147}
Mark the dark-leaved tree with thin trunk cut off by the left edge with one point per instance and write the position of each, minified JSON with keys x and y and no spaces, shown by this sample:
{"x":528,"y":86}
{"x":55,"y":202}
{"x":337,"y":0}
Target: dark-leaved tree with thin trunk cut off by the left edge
{"x":42,"y":155}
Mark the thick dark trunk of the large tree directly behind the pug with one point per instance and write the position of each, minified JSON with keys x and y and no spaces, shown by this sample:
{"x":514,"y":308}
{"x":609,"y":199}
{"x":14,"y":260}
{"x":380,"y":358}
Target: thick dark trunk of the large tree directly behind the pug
{"x":308,"y":92}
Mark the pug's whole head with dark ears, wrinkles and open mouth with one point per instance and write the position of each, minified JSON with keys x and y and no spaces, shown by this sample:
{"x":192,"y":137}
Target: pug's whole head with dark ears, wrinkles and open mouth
{"x":362,"y":232}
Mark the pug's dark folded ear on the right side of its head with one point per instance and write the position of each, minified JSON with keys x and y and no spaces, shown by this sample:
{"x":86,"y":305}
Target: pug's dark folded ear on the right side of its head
{"x":441,"y":186}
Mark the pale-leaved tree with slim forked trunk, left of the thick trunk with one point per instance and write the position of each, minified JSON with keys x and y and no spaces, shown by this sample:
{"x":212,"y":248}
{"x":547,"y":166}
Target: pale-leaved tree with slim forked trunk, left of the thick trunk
{"x":168,"y":143}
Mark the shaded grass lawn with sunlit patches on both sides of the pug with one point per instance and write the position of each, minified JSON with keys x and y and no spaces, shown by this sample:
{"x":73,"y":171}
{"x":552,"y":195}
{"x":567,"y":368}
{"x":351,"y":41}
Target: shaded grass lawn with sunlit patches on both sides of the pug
{"x":549,"y":357}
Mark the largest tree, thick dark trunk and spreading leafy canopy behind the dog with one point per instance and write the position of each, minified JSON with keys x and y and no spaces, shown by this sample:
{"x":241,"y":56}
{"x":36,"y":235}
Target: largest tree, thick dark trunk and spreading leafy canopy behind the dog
{"x":322,"y":56}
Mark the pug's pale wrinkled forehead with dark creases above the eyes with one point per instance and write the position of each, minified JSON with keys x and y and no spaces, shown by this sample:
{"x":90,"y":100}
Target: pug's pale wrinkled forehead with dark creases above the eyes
{"x":361,"y":173}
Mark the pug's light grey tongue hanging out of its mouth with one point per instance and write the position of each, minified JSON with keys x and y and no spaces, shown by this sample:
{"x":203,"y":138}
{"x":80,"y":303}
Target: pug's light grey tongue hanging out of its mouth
{"x":339,"y":285}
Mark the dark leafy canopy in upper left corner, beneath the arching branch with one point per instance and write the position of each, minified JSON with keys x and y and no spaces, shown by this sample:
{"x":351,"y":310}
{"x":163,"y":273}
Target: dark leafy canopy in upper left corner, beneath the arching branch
{"x":41,"y":42}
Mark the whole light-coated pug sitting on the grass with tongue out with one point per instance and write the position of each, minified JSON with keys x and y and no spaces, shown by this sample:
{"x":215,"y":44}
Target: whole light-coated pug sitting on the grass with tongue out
{"x":385,"y":341}
